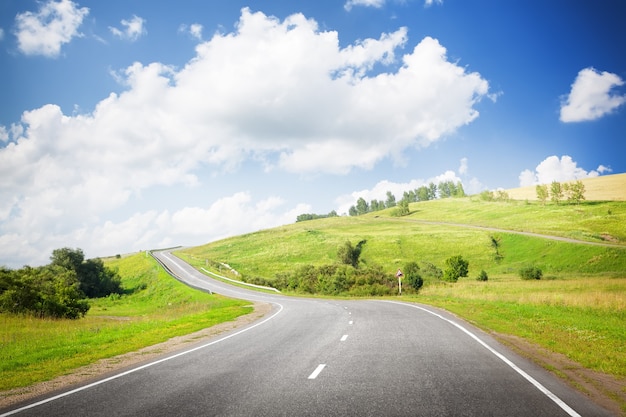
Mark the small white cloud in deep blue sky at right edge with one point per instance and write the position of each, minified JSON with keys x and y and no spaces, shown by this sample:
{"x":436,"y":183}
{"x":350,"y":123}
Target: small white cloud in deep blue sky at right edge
{"x":590,"y":97}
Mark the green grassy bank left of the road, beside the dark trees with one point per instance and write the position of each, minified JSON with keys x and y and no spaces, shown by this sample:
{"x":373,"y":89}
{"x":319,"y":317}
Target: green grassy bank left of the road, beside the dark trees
{"x":156,"y":309}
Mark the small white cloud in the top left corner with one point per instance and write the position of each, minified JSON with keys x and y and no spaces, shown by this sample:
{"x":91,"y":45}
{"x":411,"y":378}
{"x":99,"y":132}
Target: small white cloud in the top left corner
{"x":54,"y":24}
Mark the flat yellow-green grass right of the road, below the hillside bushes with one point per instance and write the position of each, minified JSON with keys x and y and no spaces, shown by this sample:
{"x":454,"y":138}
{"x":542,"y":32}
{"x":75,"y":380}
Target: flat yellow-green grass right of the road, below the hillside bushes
{"x":581,"y":317}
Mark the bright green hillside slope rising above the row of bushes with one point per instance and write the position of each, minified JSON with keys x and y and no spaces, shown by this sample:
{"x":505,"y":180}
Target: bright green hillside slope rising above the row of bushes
{"x":434,"y":231}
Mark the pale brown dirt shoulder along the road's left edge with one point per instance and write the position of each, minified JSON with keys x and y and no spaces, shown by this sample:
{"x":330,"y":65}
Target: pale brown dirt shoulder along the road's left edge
{"x":109,"y":365}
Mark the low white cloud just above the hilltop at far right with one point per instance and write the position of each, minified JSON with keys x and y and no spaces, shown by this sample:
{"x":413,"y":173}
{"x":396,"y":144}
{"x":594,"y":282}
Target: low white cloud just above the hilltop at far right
{"x":555,"y":169}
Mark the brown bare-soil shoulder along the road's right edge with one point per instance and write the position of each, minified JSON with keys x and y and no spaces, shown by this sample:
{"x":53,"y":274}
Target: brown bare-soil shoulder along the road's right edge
{"x":605,"y":390}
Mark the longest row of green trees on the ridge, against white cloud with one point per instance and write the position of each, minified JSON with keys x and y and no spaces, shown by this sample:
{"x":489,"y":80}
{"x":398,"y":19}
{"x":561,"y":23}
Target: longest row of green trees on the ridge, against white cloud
{"x":444,"y":189}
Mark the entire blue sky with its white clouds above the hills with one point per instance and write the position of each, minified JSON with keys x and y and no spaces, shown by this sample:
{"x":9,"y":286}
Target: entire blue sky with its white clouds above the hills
{"x":131,"y":125}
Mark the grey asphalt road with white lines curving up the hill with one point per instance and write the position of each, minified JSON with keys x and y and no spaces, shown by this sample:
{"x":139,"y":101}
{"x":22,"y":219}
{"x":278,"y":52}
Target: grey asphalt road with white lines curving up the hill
{"x":326,"y":358}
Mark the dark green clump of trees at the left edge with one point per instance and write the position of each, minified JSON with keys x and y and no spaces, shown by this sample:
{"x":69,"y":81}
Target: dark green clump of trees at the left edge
{"x":58,"y":290}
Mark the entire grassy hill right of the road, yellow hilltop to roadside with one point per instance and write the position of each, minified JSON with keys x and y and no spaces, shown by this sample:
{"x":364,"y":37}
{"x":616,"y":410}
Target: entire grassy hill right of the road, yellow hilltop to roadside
{"x":577,"y":310}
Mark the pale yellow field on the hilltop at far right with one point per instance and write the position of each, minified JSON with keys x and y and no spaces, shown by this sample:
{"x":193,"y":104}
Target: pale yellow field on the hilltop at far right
{"x":603,"y":188}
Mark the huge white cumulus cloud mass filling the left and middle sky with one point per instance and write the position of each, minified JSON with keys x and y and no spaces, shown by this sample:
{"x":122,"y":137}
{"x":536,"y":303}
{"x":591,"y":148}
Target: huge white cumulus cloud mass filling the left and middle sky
{"x":280,"y":92}
